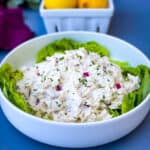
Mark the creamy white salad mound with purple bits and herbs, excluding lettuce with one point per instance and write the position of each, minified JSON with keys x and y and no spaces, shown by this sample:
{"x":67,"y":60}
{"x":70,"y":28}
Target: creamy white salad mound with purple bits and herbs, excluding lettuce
{"x":76,"y":86}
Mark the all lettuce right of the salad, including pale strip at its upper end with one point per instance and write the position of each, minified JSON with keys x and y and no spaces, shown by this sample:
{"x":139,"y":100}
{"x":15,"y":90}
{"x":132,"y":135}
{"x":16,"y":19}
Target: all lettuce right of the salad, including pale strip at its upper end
{"x":131,"y":100}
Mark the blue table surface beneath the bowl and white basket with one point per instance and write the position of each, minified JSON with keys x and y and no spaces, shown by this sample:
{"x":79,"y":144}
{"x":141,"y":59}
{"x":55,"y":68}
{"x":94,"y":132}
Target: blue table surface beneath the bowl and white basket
{"x":131,"y":22}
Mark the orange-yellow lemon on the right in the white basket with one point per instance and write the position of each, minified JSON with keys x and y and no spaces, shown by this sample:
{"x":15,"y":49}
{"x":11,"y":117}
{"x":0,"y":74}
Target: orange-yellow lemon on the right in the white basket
{"x":92,"y":3}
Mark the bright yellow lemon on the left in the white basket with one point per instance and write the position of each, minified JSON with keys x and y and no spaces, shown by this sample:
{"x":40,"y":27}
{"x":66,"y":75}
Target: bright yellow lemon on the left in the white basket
{"x":54,"y":4}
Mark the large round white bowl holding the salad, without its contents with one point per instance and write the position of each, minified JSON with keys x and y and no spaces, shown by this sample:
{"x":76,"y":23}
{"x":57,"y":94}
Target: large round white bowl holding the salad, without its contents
{"x":75,"y":135}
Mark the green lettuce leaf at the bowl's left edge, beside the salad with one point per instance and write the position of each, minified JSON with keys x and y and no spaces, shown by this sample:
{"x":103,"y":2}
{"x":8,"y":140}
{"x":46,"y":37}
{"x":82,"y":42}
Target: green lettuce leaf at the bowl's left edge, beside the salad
{"x":8,"y":79}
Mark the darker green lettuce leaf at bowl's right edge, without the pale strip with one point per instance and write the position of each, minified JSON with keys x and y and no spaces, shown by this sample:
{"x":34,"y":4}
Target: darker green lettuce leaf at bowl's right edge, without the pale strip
{"x":133,"y":99}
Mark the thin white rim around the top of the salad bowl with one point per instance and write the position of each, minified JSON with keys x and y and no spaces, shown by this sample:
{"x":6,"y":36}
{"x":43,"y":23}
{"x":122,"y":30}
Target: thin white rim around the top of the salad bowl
{"x":52,"y":122}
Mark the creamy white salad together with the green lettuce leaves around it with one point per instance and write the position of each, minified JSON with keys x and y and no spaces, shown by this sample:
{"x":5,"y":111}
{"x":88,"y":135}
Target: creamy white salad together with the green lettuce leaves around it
{"x":73,"y":81}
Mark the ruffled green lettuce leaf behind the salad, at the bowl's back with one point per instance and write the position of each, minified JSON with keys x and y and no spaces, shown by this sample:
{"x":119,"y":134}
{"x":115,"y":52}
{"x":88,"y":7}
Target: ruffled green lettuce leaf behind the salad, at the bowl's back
{"x":61,"y":45}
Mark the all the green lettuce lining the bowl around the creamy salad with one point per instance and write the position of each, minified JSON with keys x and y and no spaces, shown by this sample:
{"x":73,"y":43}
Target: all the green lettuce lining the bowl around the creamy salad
{"x":9,"y":77}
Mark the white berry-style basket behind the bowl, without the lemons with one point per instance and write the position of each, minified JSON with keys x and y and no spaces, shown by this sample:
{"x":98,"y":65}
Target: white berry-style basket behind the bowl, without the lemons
{"x":77,"y":19}
